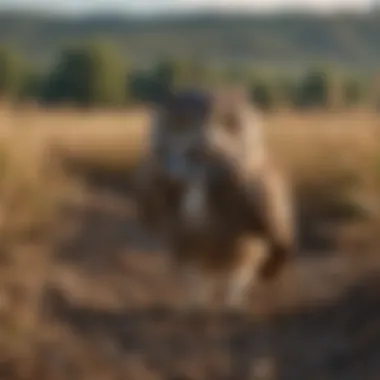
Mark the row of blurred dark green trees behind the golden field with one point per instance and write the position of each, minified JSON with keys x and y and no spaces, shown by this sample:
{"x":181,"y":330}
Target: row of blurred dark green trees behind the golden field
{"x":96,"y":75}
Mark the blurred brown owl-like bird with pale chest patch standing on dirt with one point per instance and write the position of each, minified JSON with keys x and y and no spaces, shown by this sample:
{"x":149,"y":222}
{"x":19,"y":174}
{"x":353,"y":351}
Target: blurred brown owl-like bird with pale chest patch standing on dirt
{"x":209,"y":187}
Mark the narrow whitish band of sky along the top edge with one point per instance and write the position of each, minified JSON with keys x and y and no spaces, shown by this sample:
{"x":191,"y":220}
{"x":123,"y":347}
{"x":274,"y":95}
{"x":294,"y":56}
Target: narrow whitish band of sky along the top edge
{"x":170,"y":7}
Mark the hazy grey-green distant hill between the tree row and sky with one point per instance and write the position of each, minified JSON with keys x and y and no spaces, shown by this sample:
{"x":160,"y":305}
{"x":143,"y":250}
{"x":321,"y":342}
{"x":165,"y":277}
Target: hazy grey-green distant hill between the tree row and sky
{"x":288,"y":41}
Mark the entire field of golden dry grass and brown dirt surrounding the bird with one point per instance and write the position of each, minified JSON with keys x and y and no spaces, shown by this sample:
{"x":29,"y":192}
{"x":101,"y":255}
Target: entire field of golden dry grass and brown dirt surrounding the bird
{"x":85,"y":293}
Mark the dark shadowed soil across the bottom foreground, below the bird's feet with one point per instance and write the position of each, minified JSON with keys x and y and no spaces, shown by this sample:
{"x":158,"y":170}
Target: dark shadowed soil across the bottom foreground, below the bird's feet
{"x":340,"y":340}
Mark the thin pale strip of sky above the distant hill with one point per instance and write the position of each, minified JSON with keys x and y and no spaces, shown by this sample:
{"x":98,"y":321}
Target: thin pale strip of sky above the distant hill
{"x":164,"y":6}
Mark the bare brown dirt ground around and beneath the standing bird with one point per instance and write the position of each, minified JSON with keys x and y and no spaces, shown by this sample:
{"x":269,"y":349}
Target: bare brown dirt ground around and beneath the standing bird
{"x":109,"y":312}
